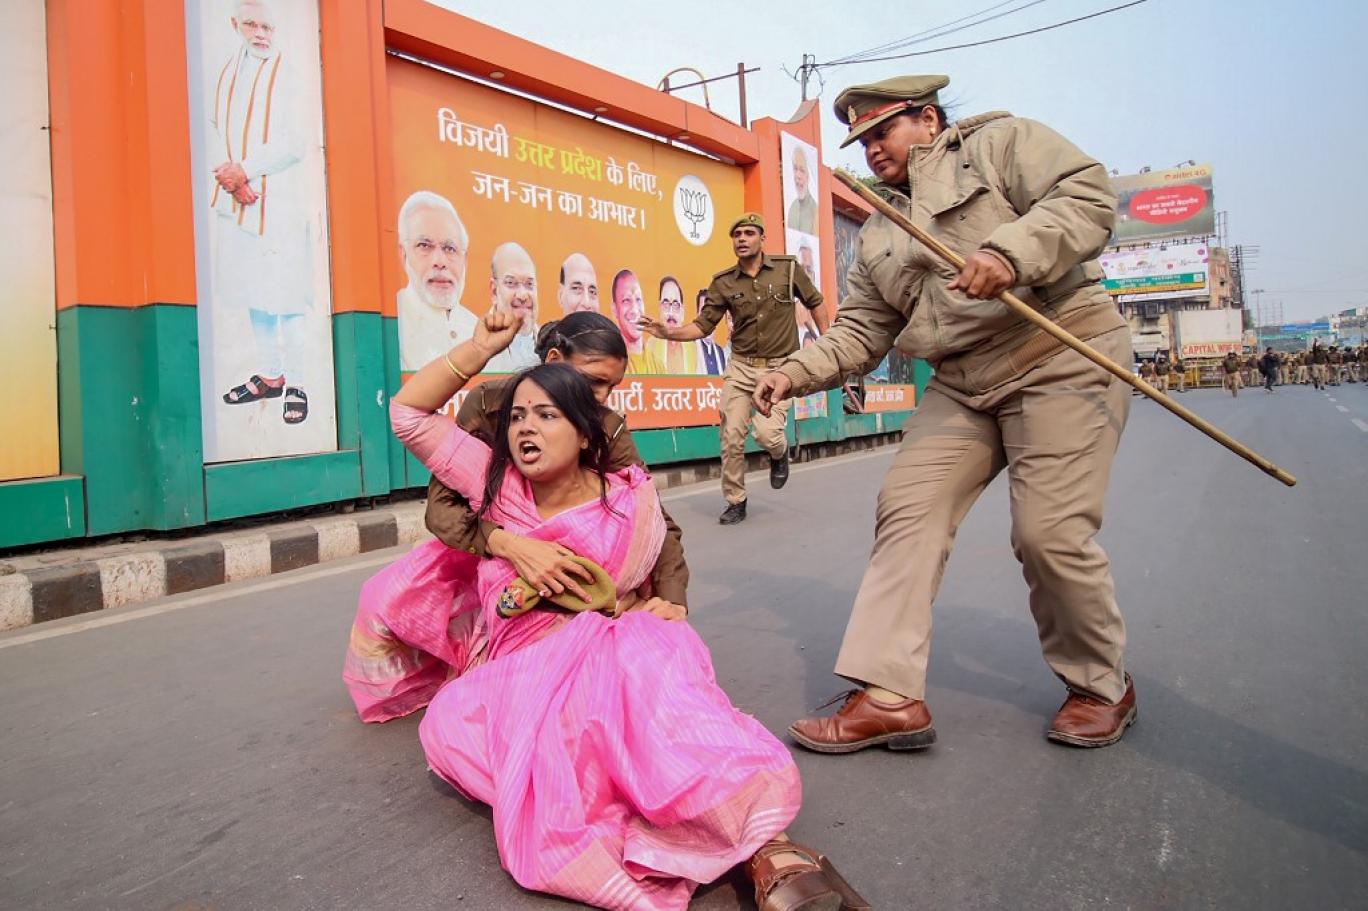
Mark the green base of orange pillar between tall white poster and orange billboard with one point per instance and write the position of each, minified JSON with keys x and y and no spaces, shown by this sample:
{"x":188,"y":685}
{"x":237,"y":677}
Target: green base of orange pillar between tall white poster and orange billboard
{"x":363,"y":417}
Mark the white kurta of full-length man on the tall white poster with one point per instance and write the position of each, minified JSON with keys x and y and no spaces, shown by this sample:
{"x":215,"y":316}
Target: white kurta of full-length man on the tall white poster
{"x":262,"y":251}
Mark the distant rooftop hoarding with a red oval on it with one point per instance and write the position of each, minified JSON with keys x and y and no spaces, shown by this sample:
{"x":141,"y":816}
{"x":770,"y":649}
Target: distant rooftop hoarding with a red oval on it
{"x":1159,"y":204}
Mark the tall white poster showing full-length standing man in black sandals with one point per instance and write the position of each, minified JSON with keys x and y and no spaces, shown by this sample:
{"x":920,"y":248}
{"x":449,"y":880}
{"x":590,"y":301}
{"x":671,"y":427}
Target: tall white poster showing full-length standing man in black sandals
{"x":261,"y":225}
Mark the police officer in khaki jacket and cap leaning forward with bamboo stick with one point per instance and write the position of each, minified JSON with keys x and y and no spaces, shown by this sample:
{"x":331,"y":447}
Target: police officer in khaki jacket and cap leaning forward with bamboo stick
{"x":1029,"y":213}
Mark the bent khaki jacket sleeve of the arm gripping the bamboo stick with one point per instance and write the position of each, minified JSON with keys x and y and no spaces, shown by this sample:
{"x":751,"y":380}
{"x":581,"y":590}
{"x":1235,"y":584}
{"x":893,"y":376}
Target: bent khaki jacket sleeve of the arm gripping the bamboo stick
{"x":1068,"y":203}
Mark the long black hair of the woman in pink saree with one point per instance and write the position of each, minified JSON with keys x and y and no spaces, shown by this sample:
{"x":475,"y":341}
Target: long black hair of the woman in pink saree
{"x":573,"y":395}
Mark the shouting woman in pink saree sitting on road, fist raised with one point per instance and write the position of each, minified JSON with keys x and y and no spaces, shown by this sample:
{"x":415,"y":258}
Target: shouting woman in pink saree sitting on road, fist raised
{"x":619,"y":772}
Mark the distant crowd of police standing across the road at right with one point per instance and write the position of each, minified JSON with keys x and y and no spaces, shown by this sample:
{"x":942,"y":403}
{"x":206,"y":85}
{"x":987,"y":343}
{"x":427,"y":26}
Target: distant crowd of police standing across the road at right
{"x":1321,"y":366}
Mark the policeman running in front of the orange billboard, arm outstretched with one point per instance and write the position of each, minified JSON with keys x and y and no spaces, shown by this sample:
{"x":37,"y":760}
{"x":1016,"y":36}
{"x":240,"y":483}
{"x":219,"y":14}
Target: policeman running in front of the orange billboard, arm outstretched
{"x":760,"y":293}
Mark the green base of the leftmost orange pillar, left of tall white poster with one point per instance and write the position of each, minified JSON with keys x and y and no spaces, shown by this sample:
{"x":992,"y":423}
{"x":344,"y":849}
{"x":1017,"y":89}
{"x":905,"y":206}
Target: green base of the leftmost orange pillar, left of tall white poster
{"x":128,"y":385}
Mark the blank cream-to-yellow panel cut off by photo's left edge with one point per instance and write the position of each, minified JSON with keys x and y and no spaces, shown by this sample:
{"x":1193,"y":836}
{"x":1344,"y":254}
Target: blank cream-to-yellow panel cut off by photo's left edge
{"x":28,"y":296}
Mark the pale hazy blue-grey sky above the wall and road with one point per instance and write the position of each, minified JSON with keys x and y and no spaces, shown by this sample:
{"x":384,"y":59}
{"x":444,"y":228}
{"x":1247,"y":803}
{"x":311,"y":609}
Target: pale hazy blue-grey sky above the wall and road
{"x":1273,"y":94}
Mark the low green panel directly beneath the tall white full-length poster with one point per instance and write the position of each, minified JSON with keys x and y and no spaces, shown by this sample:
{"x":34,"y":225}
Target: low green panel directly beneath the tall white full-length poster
{"x":273,"y":485}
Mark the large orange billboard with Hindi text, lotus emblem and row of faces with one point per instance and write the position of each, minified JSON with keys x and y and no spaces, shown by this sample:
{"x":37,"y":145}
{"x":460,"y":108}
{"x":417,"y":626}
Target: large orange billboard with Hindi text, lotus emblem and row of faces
{"x":504,"y":202}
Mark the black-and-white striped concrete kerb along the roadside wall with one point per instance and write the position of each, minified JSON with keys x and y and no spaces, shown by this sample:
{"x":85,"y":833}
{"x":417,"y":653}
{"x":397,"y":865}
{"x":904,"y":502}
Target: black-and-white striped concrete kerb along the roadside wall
{"x":42,"y":587}
